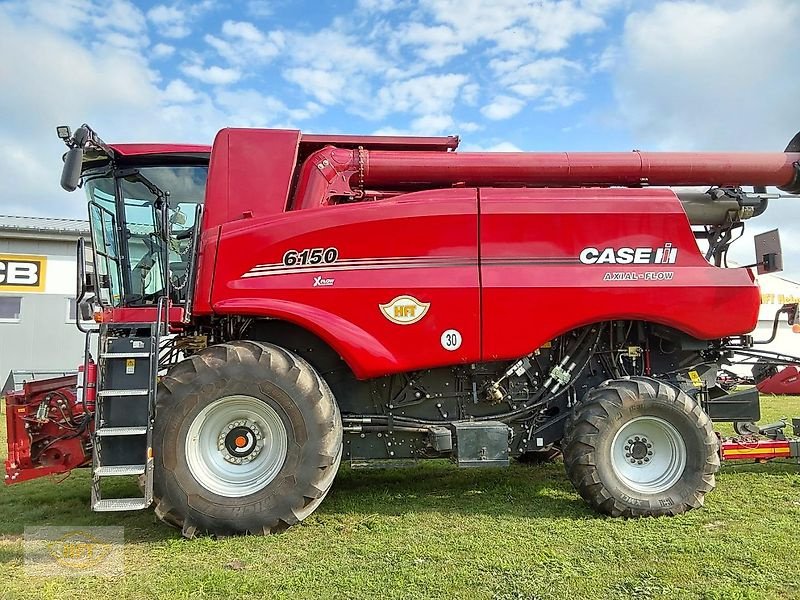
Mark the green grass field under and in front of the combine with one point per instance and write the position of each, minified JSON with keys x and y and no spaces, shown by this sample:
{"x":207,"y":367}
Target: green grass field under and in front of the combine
{"x":434,"y":531}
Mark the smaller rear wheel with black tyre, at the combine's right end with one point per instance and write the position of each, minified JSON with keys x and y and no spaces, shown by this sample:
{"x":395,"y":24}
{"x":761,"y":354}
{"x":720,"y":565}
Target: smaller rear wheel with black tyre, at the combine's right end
{"x":638,"y":447}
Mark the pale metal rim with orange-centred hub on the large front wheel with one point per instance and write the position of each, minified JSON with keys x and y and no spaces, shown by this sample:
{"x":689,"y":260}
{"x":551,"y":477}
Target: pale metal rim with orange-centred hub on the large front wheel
{"x":236,"y":446}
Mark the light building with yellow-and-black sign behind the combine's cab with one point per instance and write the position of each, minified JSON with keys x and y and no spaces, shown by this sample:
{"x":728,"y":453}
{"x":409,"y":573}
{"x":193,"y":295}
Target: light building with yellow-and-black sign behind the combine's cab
{"x":38,"y":276}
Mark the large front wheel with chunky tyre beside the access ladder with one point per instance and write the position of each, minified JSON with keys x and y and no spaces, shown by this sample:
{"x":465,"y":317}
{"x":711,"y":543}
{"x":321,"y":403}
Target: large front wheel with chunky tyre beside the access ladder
{"x":247,"y":440}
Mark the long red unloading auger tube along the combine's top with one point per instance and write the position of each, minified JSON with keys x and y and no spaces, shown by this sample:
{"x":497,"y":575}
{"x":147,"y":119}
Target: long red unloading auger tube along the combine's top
{"x":333,"y":172}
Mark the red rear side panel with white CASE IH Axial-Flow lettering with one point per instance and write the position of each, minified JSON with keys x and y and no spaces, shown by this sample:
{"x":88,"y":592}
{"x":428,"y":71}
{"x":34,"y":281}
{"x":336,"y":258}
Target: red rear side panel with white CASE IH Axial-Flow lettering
{"x":535,"y":287}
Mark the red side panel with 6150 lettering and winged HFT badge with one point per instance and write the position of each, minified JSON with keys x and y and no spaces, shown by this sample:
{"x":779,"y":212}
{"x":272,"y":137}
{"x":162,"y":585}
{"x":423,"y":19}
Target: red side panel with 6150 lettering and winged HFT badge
{"x":423,"y":245}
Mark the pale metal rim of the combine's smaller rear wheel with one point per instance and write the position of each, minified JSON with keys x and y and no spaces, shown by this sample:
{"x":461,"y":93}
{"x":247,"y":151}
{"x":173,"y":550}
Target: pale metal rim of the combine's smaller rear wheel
{"x":648,"y":454}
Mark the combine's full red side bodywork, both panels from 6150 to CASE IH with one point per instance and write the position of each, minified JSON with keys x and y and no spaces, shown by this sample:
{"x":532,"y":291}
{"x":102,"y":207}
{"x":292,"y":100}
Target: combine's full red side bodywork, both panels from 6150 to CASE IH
{"x":425,"y":244}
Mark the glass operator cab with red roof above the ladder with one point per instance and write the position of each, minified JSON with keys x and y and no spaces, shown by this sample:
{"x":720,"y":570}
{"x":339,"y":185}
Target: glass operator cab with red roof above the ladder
{"x":145,"y":204}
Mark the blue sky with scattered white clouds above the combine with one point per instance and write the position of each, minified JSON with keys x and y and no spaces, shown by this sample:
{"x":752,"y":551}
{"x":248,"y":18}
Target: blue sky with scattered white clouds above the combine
{"x":505,"y":75}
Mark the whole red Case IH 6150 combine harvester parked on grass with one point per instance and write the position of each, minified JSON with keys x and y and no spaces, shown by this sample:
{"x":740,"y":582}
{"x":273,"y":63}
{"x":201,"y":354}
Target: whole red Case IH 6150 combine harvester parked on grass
{"x":280,"y":302}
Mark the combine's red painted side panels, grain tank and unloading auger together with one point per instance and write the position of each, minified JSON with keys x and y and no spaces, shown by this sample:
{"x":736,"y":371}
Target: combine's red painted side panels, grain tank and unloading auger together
{"x":528,"y":241}
